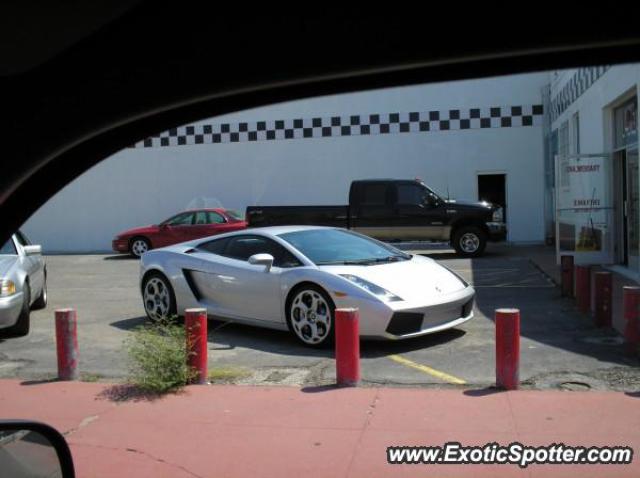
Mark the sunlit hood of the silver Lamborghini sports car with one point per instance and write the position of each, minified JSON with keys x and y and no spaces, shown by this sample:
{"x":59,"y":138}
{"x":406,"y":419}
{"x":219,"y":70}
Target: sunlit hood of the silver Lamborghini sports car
{"x":412,"y":280}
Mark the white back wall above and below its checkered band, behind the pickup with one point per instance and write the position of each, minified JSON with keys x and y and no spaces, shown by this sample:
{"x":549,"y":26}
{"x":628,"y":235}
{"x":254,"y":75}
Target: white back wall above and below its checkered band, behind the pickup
{"x":141,"y":186}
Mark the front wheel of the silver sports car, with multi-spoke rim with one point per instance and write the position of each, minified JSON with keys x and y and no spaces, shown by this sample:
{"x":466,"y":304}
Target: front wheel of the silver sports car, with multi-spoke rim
{"x":310,"y":315}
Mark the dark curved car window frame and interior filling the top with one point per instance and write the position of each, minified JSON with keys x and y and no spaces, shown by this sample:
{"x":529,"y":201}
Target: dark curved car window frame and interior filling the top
{"x":80,"y":82}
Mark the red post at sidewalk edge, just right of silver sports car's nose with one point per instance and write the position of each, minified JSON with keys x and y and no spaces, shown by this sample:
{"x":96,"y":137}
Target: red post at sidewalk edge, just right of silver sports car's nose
{"x":507,"y":348}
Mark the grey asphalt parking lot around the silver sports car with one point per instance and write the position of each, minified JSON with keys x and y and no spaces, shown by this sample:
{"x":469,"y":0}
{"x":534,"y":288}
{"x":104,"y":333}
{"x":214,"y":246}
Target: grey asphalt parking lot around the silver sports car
{"x":559,"y":347}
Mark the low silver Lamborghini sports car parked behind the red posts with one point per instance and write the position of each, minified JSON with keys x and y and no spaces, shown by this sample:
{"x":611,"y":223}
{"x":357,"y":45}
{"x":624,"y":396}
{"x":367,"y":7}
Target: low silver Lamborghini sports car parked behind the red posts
{"x":294,"y":277}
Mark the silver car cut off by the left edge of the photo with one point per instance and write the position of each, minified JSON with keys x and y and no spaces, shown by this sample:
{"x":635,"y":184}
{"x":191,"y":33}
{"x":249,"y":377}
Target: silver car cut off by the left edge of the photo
{"x":23,"y":284}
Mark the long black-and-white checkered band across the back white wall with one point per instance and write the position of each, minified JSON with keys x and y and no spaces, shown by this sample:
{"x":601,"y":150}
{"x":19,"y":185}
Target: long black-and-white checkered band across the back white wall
{"x":352,"y":125}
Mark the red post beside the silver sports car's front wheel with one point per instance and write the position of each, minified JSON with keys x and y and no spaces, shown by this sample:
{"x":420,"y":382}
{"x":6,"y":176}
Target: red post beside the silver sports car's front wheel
{"x":347,"y":347}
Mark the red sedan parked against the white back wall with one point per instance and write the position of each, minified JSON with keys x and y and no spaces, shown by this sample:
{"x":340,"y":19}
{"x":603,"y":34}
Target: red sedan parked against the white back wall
{"x":182,"y":227}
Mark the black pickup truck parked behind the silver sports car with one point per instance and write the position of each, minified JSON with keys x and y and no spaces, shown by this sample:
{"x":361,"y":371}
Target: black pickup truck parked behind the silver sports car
{"x":397,"y":210}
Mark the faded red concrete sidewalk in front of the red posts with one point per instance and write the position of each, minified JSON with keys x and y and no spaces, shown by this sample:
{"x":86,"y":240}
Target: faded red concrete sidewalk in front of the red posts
{"x":259,"y":431}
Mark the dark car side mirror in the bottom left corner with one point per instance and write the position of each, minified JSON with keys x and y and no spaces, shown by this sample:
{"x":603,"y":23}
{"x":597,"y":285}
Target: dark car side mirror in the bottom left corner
{"x":30,"y":449}
